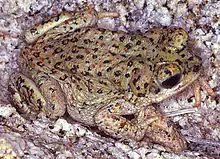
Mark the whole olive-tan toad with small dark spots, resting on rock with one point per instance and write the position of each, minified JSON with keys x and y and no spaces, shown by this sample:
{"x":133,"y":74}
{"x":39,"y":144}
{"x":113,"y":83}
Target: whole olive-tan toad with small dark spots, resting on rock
{"x":100,"y":76}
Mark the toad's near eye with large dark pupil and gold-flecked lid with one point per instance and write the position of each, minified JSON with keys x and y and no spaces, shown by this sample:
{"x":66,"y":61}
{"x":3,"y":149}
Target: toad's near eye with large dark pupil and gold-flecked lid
{"x":169,"y":75}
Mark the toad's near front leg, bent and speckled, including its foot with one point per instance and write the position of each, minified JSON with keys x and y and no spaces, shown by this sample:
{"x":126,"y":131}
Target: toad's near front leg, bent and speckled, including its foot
{"x":149,"y":123}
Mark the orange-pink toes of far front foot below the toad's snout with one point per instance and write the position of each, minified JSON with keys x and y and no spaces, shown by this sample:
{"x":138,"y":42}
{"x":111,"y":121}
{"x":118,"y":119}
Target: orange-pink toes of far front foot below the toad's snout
{"x":202,"y":83}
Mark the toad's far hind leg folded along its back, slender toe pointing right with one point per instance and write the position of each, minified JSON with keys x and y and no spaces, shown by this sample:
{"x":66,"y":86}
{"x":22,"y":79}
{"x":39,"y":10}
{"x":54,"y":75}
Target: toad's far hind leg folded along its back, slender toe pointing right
{"x":66,"y":22}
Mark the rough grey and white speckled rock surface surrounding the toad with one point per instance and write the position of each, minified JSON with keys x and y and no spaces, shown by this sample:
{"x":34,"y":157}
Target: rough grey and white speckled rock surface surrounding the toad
{"x":43,"y":138}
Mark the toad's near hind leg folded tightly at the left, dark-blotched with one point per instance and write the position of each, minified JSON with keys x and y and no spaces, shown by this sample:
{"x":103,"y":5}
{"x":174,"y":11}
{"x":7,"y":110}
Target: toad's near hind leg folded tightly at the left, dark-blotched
{"x":31,"y":98}
